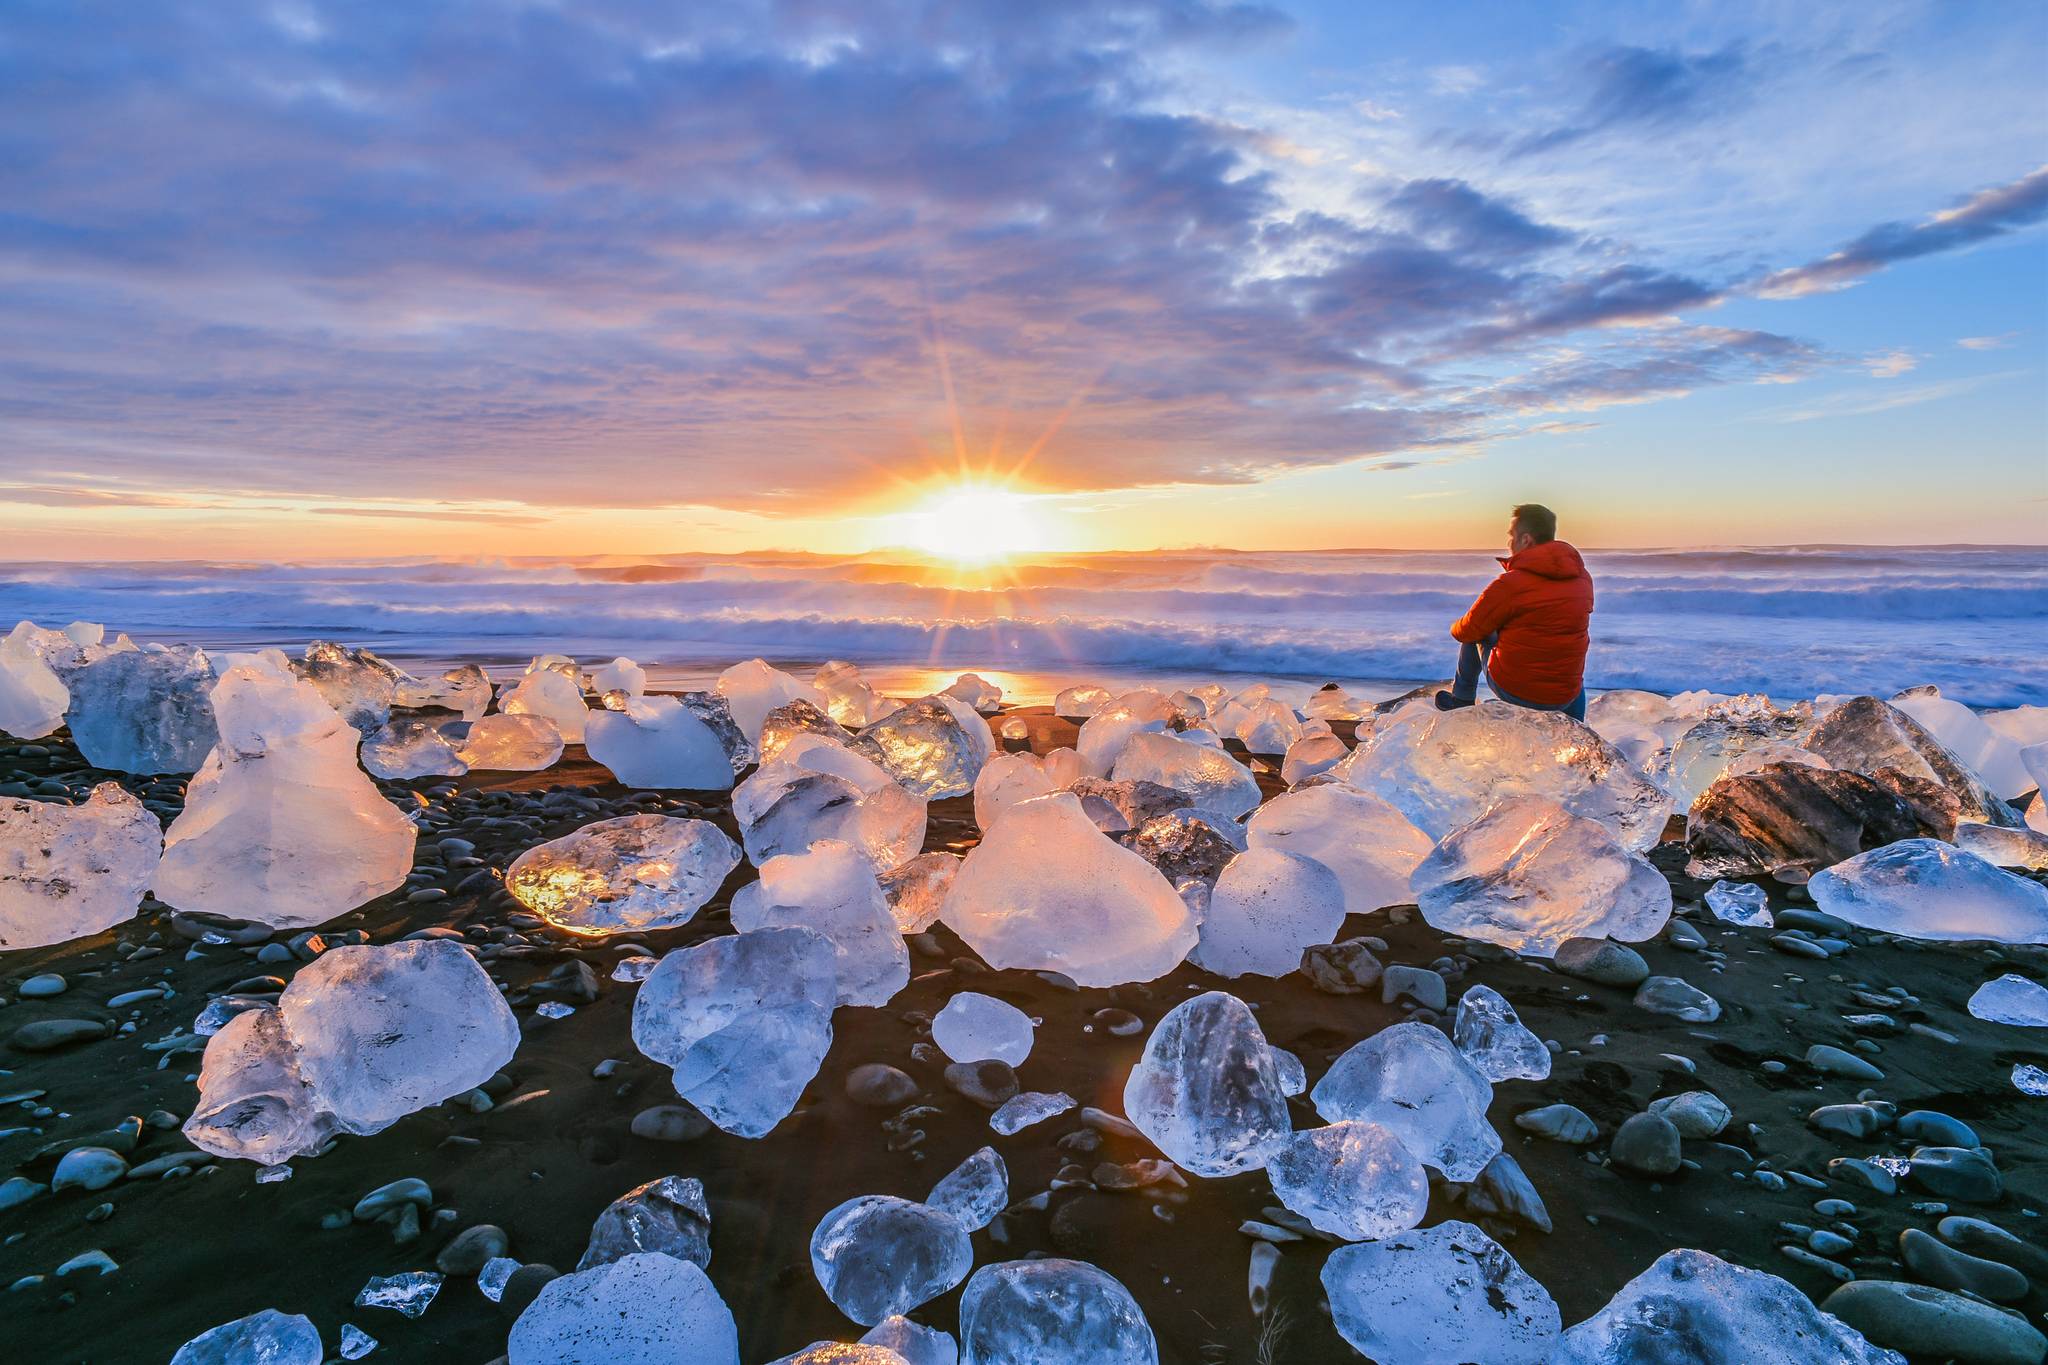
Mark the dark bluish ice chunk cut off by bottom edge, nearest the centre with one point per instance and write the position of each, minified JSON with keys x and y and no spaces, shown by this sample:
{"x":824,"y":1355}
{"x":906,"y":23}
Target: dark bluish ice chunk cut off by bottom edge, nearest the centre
{"x":1035,"y":1313}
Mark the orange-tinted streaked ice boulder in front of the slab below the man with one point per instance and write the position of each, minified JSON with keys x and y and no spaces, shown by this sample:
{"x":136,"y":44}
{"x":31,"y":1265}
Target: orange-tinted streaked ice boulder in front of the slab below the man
{"x":1531,"y":875}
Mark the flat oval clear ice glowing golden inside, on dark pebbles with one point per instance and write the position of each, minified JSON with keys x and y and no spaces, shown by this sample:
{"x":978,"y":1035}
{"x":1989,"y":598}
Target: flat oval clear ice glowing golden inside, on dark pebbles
{"x":626,"y":875}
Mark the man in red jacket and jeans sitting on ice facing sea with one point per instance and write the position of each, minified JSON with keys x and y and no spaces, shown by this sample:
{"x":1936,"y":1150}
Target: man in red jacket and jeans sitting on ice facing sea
{"x":1529,"y":629}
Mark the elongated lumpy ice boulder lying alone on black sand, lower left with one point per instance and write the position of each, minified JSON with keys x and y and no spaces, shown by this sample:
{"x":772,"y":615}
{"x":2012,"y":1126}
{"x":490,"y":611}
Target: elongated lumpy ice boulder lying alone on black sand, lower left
{"x":359,"y":1039}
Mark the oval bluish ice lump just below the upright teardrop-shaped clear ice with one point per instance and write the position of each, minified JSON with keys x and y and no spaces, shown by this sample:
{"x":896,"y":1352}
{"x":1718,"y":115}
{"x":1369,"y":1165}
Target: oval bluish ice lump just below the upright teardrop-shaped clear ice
{"x":1351,"y":1180}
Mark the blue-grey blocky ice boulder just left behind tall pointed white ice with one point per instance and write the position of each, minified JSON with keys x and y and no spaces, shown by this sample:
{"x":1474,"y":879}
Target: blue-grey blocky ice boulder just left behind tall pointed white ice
{"x":146,"y":711}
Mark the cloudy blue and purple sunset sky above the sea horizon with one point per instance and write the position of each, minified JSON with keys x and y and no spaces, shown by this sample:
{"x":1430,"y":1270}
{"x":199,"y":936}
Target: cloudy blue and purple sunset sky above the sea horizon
{"x":312,"y":279}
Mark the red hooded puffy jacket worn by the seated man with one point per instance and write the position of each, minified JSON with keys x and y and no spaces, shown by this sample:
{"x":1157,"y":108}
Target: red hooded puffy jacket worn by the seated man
{"x":1539,"y":607}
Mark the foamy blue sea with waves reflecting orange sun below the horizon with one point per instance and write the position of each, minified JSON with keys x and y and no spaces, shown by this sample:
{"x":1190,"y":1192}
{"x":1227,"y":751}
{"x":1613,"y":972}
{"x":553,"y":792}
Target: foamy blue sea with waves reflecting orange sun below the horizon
{"x":1783,"y":621}
